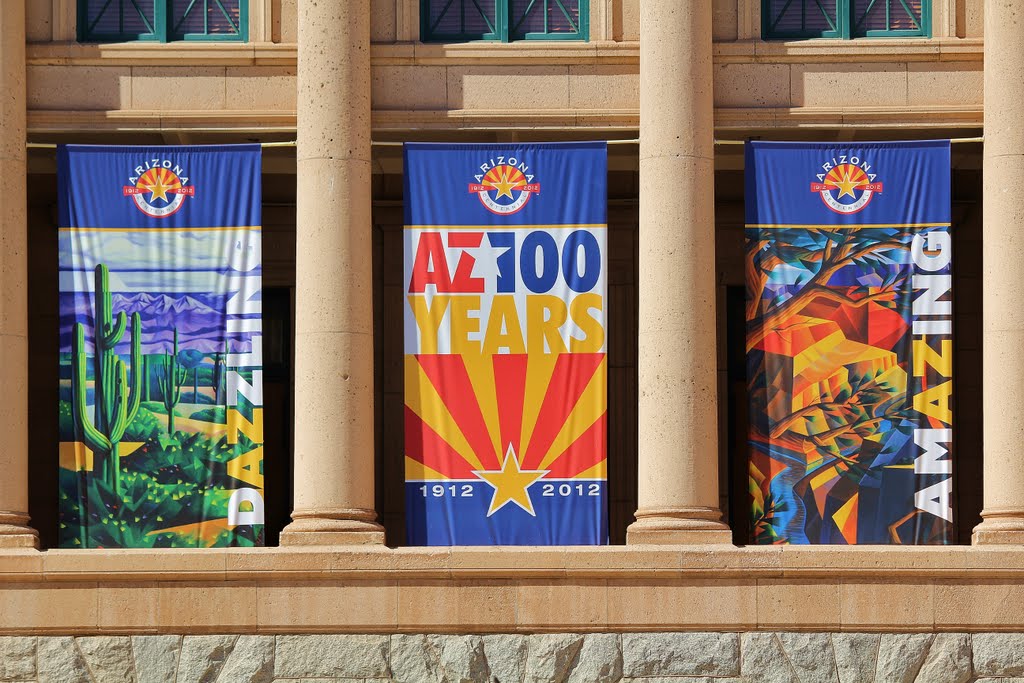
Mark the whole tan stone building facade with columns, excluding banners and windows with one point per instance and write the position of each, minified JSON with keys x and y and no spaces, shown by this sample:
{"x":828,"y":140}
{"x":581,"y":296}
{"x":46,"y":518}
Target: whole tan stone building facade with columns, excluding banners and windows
{"x":678,"y":596}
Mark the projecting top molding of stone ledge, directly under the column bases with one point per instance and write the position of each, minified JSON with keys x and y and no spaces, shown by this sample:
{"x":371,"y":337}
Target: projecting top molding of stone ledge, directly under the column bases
{"x":862,"y":563}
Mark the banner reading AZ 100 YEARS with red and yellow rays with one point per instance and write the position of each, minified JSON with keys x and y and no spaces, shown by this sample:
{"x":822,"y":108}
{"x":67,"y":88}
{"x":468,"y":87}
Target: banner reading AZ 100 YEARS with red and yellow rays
{"x":506,"y":381}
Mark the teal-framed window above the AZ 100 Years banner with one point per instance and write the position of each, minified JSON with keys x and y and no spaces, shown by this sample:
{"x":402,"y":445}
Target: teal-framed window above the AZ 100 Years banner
{"x":452,"y":21}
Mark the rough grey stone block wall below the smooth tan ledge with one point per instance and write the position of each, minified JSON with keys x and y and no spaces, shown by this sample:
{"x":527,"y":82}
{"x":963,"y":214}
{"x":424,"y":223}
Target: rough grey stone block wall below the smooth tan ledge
{"x":648,"y":658}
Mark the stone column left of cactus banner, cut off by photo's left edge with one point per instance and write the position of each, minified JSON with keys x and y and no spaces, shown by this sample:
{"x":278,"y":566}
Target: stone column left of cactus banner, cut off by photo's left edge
{"x":15,"y":530}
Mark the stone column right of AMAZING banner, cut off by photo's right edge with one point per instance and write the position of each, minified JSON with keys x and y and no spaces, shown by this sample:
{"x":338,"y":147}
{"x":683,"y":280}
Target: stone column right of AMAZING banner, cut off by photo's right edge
{"x":1003,"y":260}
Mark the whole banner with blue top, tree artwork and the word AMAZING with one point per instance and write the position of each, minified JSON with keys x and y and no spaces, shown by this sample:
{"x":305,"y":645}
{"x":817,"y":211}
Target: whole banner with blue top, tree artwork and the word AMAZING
{"x":849,"y":344}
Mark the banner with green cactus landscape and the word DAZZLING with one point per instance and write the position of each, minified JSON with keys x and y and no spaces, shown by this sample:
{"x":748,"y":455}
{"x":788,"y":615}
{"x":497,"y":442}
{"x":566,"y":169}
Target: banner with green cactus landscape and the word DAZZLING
{"x":161,"y":418}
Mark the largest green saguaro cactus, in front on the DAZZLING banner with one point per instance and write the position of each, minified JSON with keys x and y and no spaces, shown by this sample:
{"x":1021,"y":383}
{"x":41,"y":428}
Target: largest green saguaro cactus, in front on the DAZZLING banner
{"x":116,"y":398}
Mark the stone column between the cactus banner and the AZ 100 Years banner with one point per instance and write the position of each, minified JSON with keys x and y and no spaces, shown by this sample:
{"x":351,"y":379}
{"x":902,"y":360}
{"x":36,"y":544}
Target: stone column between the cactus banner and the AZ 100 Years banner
{"x":334,"y":352}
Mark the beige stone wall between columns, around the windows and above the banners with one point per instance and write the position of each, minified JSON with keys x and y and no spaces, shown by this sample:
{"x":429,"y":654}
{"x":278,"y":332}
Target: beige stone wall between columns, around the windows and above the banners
{"x":908,"y":83}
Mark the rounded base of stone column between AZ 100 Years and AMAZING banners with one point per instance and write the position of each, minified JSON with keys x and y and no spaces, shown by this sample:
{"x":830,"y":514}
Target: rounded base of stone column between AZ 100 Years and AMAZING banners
{"x":678,"y":527}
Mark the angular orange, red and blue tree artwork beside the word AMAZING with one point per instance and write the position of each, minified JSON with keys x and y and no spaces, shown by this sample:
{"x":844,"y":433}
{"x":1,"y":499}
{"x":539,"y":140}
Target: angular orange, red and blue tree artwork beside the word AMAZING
{"x":828,"y":312}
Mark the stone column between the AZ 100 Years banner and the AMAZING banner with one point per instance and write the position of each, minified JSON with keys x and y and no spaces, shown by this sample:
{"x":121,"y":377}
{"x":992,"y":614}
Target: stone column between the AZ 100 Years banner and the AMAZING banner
{"x":678,"y":450}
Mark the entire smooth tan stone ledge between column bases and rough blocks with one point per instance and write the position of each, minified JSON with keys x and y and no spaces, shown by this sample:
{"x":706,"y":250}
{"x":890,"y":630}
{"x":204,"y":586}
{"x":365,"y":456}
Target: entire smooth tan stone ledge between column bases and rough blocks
{"x":524,"y":590}
